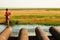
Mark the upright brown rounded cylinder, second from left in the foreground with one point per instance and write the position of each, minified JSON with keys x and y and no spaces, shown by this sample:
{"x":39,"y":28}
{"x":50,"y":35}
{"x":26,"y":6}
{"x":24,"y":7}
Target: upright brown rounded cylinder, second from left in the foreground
{"x":23,"y":34}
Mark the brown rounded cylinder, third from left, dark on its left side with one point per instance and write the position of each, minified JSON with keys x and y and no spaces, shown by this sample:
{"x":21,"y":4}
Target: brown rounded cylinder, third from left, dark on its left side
{"x":40,"y":33}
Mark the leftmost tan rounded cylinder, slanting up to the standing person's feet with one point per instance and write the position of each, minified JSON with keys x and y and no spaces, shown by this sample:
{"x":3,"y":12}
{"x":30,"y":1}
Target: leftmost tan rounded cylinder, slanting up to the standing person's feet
{"x":5,"y":33}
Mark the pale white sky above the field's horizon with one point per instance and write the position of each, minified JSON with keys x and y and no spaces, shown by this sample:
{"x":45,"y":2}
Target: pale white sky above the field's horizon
{"x":29,"y":3}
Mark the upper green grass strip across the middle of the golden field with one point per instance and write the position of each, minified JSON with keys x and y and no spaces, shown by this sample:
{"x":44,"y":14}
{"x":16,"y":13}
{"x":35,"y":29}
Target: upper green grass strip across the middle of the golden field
{"x":35,"y":16}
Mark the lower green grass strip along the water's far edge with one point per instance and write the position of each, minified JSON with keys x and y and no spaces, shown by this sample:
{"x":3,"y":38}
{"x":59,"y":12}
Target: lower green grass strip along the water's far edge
{"x":47,"y":22}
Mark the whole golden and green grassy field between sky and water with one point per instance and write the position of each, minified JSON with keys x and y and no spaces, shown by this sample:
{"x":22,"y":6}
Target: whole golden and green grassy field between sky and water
{"x":32,"y":16}
